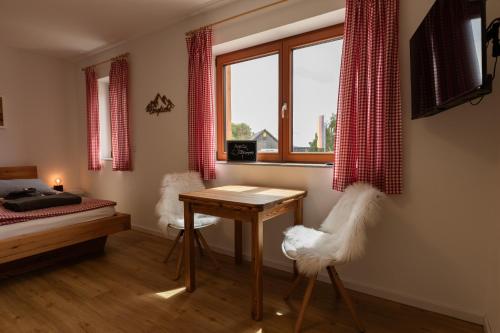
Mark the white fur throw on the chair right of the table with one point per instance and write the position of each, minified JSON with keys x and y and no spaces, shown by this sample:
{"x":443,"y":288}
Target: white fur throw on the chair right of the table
{"x":342,"y":235}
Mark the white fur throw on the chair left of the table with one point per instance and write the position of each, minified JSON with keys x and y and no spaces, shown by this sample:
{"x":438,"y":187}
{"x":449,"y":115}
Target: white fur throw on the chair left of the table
{"x":171,"y":210}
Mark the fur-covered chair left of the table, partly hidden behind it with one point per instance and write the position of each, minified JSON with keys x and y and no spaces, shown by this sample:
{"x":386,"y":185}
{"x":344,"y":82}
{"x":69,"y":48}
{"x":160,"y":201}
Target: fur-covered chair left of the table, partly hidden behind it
{"x":171,"y":213}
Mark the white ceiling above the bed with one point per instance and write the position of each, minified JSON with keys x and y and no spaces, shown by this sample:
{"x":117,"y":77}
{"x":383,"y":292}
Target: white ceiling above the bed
{"x":70,"y":28}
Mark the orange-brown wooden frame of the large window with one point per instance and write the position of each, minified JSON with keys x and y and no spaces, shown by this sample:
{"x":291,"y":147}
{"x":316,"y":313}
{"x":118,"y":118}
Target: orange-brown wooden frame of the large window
{"x":283,"y":48}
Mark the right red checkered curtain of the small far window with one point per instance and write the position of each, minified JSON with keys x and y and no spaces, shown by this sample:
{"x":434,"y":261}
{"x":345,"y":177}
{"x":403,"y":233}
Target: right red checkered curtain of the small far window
{"x":118,"y":104}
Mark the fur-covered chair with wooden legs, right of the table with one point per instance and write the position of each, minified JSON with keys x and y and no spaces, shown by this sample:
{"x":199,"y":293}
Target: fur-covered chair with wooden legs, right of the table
{"x":340,"y":239}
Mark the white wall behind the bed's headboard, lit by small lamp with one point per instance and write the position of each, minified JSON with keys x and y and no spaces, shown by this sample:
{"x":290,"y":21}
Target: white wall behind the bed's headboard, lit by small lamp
{"x":38,"y":124}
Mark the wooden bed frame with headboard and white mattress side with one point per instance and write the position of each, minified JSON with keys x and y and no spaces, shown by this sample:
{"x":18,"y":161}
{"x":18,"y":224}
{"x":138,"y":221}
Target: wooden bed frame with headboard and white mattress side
{"x":30,"y":245}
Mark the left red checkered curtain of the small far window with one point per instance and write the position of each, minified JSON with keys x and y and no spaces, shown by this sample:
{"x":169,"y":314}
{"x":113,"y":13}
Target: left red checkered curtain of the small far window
{"x":93,"y":148}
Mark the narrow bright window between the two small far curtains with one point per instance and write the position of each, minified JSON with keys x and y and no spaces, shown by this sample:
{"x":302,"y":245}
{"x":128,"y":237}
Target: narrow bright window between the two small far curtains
{"x":104,"y":118}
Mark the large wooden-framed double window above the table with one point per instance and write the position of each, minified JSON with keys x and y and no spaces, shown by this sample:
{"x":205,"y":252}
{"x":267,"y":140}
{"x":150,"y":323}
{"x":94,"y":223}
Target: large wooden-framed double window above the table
{"x":282,"y":94}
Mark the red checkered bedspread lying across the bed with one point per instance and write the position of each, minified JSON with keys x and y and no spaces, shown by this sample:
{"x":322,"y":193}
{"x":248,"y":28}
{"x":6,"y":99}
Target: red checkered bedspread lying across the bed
{"x":10,"y":217}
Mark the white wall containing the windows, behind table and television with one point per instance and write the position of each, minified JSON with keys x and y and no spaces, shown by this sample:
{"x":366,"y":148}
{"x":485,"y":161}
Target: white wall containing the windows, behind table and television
{"x":433,"y":247}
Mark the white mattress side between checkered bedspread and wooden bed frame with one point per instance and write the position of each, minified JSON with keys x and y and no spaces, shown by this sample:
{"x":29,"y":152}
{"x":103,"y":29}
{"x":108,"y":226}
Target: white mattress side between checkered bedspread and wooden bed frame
{"x":33,"y":226}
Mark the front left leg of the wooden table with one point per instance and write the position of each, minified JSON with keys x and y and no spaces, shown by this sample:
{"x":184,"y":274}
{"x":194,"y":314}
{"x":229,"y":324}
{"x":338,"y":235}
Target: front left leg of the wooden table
{"x":189,"y":269}
